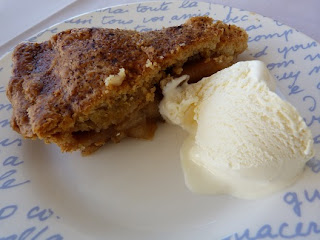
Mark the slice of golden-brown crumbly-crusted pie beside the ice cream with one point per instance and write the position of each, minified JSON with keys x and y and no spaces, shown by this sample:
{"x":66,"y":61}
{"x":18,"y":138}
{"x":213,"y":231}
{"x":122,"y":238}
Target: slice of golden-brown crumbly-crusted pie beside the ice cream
{"x":86,"y":86}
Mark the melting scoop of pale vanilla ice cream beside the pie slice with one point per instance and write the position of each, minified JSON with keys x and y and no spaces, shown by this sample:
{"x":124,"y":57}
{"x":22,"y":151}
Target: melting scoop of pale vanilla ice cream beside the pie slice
{"x":244,"y":140}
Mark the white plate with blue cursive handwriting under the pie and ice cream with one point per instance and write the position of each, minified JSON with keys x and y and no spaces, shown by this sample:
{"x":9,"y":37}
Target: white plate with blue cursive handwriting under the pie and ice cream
{"x":135,"y":189}
